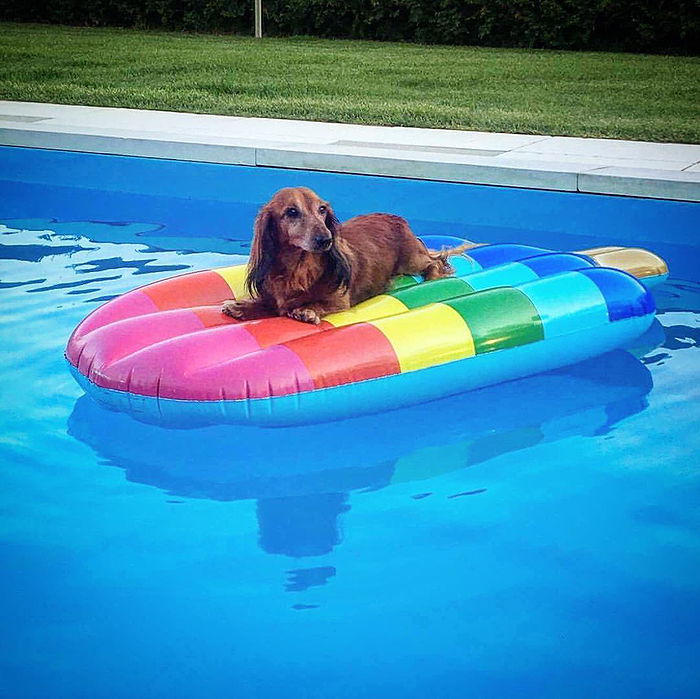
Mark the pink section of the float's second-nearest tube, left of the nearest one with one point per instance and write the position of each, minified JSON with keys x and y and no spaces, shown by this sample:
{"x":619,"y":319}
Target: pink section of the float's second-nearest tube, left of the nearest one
{"x":172,"y":368}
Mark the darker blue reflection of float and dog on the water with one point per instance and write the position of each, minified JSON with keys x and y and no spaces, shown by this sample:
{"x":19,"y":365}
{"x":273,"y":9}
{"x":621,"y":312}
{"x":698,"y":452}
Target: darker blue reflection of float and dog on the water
{"x":303,"y":477}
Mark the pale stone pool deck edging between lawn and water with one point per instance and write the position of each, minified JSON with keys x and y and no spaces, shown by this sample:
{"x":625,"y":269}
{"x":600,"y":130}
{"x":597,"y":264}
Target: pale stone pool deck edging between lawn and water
{"x":591,"y":165}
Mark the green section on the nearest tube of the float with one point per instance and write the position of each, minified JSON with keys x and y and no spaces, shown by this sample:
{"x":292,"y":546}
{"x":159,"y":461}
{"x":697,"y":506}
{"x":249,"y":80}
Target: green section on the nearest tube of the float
{"x":499,"y":318}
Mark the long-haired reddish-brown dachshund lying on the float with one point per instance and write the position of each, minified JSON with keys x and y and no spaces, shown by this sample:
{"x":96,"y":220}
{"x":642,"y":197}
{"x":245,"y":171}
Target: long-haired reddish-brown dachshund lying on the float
{"x":304,"y":264}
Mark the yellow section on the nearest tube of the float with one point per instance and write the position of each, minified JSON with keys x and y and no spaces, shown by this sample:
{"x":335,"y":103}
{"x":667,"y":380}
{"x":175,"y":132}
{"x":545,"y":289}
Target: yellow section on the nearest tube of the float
{"x":426,"y":336}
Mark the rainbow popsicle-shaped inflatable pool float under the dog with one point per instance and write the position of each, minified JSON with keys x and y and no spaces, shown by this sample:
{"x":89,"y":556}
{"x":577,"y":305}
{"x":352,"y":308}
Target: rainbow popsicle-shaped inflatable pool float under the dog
{"x":165,"y":352}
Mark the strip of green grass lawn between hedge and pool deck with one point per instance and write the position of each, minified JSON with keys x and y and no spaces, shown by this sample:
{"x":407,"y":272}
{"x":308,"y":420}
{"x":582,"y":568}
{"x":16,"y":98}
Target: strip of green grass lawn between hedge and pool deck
{"x":524,"y":91}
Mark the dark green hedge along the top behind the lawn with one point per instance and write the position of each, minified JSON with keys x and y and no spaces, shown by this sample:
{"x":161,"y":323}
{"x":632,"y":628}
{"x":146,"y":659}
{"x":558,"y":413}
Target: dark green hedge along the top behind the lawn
{"x":654,"y":26}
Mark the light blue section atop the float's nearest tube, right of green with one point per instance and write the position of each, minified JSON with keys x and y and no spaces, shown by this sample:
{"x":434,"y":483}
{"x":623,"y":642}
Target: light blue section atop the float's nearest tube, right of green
{"x":567,"y":303}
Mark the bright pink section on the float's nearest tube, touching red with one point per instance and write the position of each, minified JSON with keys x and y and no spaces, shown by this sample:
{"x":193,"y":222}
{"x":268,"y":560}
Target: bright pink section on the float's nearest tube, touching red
{"x":273,"y":371}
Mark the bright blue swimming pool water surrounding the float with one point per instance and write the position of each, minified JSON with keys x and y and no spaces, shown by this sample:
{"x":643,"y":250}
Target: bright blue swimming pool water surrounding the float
{"x":538,"y":538}
